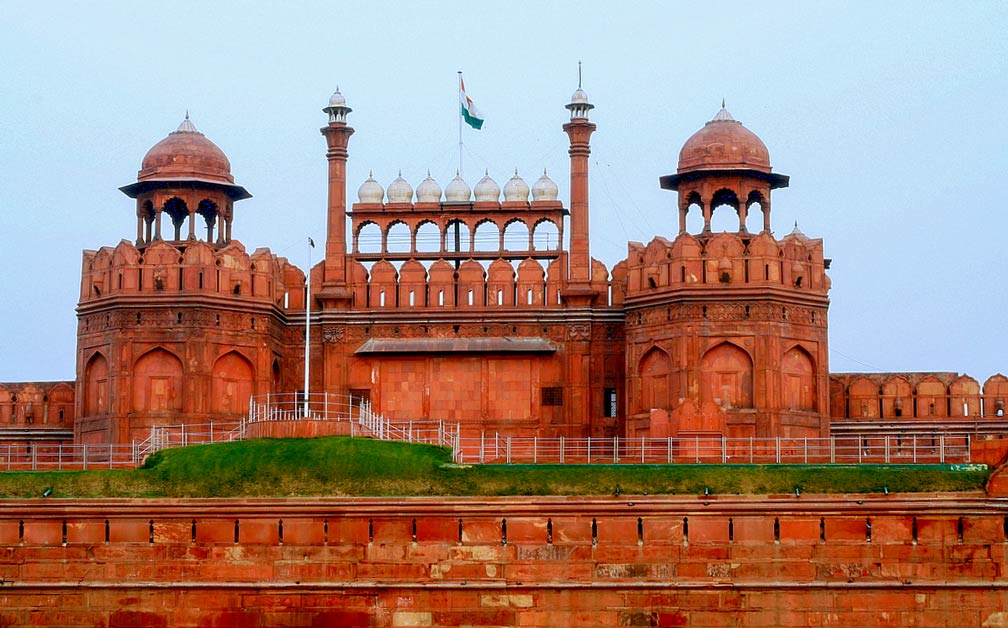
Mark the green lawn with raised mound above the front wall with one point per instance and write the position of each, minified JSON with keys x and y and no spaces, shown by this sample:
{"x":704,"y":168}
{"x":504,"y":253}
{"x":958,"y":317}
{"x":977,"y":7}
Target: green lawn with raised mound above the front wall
{"x":341,"y":466}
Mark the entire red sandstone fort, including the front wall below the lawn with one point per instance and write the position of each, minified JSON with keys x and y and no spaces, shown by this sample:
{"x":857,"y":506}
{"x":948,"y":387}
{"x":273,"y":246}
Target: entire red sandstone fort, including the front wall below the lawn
{"x":483,"y":308}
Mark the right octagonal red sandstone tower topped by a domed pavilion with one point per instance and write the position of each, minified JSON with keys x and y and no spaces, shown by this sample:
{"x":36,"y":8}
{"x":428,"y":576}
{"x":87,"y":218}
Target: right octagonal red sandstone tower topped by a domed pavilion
{"x":727,"y":332}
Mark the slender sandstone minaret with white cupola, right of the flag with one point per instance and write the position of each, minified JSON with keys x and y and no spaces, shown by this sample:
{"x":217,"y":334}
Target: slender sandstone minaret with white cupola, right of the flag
{"x":580,"y":131}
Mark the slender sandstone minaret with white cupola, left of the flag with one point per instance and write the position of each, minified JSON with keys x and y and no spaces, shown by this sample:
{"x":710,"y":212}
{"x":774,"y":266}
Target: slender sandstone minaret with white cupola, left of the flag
{"x":337,"y":138}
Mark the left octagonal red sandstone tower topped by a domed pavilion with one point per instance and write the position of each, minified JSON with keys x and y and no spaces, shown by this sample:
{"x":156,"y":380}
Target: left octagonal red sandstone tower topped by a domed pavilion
{"x":183,"y":325}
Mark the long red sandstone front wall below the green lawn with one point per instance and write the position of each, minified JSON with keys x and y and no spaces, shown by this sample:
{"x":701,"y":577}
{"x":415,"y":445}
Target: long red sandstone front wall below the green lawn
{"x":722,"y":561}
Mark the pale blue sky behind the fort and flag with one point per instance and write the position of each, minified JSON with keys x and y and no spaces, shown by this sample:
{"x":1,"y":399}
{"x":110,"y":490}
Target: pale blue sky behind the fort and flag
{"x":889,"y":116}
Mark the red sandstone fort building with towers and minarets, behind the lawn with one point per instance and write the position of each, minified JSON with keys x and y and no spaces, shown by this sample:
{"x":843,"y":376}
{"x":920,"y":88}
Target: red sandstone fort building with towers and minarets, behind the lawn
{"x":461,"y":306}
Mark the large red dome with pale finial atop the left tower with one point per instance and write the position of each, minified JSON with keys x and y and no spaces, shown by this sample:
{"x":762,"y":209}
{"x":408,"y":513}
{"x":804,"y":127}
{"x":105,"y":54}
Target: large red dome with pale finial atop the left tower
{"x":186,"y":155}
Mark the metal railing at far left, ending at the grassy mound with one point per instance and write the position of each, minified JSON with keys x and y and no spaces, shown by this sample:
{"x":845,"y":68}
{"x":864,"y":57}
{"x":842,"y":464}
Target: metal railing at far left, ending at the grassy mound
{"x":58,"y":457}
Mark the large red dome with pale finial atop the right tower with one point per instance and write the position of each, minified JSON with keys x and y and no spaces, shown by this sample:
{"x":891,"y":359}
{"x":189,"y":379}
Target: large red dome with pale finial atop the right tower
{"x":724,"y":144}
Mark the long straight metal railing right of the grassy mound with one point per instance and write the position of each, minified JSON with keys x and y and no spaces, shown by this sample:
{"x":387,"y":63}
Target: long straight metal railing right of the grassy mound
{"x":921,"y":449}
